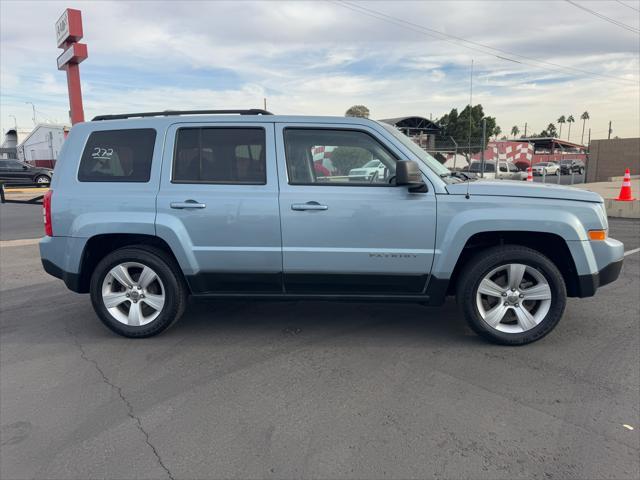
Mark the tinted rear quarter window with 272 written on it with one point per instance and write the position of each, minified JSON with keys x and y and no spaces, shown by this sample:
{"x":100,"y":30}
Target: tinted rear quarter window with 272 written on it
{"x":118,"y":156}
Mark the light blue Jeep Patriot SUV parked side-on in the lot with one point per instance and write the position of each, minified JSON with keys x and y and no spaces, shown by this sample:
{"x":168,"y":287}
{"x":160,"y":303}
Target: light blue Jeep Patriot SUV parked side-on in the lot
{"x":147,"y":209}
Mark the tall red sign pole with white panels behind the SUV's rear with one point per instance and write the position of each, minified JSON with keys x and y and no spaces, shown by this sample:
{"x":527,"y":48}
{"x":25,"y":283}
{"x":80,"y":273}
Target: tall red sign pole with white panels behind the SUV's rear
{"x":68,"y":33}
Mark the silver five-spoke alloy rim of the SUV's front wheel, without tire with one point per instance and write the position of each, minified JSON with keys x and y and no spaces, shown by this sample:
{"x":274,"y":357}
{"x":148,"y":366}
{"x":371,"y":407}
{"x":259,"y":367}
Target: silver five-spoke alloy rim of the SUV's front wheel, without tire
{"x":513,"y":298}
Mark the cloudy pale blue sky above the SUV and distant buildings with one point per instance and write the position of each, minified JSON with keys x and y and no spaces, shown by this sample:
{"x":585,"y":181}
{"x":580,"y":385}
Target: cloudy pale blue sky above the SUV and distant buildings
{"x":533,"y":60}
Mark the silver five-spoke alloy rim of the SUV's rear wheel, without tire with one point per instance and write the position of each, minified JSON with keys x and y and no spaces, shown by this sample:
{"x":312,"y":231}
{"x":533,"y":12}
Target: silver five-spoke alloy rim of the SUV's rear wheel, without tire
{"x":133,"y":294}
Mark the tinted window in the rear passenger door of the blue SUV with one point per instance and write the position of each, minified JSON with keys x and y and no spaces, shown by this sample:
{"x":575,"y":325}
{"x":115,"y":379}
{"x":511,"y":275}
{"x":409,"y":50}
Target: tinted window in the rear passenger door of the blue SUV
{"x":220,"y":155}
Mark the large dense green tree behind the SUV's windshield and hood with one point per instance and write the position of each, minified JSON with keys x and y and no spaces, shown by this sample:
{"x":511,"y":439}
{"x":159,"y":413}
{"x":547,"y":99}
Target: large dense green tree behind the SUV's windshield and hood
{"x":456,"y":125}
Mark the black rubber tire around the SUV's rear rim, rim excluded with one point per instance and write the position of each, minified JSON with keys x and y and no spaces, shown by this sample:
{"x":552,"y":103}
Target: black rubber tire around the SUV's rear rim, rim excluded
{"x":168,"y":272}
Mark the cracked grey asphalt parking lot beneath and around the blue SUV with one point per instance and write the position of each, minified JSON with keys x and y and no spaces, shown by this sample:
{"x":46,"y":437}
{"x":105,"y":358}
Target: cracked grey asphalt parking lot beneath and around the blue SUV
{"x":311,"y":389}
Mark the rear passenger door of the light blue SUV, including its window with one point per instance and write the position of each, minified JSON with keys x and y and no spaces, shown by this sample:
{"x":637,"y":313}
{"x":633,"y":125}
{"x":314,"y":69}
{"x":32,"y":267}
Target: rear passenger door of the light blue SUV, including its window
{"x":219,"y":199}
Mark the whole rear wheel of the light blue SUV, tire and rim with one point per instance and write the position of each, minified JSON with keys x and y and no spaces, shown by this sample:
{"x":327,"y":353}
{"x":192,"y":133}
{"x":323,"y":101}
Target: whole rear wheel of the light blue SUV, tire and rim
{"x":138,"y":291}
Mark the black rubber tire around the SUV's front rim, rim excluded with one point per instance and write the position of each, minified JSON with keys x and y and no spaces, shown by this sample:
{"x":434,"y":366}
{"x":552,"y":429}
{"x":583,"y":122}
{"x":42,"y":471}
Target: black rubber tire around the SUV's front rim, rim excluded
{"x":480,"y":265}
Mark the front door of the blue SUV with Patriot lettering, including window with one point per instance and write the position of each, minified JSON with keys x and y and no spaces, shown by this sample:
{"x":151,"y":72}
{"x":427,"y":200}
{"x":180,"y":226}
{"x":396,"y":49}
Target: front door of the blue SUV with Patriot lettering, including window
{"x":347,"y":229}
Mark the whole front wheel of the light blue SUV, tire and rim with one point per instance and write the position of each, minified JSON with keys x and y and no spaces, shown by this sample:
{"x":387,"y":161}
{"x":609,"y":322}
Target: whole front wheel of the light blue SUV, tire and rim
{"x":512,"y":295}
